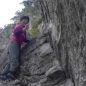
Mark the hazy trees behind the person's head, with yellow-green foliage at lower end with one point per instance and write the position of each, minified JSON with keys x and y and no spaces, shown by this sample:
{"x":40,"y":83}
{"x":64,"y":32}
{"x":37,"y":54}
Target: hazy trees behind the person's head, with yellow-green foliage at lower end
{"x":31,"y":9}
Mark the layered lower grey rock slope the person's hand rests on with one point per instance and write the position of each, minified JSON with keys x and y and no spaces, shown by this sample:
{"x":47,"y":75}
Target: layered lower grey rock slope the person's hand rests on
{"x":40,"y":67}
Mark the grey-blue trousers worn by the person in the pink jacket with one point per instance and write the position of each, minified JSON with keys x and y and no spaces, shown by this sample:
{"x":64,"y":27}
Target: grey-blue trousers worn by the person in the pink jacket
{"x":13,"y":61}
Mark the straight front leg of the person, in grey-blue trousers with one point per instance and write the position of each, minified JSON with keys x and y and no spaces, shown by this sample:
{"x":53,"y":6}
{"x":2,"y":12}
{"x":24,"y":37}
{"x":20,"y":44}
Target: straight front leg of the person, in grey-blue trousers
{"x":14,"y":56}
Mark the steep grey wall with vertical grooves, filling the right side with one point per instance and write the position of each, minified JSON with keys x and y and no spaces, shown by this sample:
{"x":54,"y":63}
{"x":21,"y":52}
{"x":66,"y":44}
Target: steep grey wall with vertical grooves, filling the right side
{"x":66,"y":23}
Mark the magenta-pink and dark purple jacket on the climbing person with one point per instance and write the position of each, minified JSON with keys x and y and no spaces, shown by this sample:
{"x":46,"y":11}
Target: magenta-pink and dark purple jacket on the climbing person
{"x":18,"y":34}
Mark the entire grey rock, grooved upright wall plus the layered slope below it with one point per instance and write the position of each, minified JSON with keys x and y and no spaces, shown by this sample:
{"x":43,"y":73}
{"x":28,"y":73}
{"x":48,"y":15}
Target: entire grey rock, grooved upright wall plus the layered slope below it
{"x":57,"y":58}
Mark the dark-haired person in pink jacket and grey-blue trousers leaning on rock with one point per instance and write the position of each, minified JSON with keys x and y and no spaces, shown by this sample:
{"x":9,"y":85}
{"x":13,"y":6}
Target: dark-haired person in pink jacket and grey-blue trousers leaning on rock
{"x":17,"y":38}
